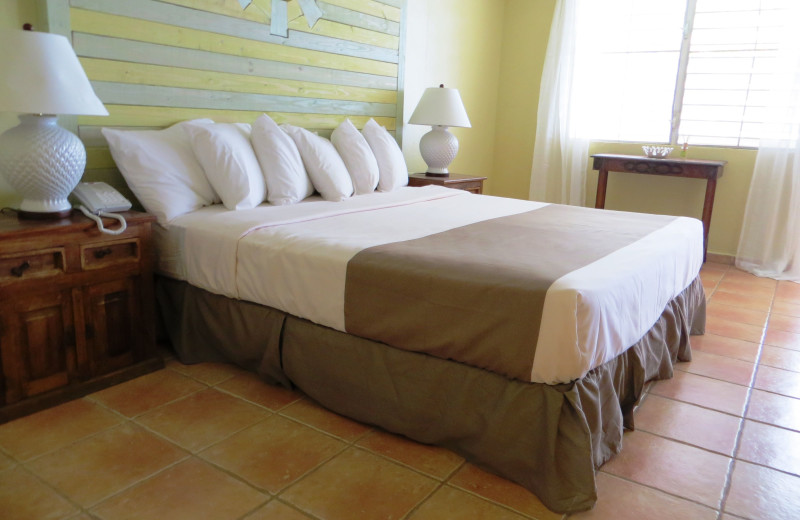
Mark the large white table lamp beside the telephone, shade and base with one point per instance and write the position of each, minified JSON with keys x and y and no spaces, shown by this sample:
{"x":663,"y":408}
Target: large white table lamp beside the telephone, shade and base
{"x":42,"y":161}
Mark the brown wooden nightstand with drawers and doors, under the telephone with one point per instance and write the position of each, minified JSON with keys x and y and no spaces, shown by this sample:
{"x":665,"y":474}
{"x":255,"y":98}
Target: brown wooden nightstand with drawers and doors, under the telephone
{"x":76,"y":309}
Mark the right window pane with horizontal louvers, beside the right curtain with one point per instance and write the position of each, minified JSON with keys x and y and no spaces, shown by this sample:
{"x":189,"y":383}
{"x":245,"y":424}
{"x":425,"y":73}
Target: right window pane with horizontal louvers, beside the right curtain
{"x":731,"y":58}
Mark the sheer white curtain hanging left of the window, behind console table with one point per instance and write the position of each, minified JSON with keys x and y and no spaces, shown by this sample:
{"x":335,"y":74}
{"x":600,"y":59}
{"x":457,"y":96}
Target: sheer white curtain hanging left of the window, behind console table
{"x":560,"y":155}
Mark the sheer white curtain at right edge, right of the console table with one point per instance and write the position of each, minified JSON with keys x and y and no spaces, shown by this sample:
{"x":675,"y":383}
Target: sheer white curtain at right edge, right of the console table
{"x":769,"y":244}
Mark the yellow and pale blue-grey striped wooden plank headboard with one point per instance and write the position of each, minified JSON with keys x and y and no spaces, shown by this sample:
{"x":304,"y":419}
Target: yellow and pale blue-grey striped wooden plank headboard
{"x":156,"y":62}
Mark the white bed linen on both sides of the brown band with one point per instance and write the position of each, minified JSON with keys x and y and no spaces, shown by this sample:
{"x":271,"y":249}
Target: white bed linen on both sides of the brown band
{"x":294,"y":258}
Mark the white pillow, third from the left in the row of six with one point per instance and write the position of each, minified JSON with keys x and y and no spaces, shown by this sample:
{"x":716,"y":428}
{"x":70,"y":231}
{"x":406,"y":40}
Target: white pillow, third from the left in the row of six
{"x":281,"y":164}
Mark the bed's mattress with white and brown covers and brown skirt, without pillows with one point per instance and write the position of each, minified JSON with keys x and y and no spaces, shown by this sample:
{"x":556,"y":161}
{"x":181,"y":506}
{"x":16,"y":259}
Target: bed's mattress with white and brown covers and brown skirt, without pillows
{"x":516,"y":333}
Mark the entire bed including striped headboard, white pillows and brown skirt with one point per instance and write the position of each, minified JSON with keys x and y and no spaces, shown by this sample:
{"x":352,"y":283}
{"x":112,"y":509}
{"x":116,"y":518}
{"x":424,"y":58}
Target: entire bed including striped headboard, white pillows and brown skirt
{"x":255,"y":286}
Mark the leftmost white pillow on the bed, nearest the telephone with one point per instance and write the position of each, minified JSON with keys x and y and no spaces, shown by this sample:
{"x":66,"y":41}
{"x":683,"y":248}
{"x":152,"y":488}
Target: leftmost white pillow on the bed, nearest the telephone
{"x":161,"y":169}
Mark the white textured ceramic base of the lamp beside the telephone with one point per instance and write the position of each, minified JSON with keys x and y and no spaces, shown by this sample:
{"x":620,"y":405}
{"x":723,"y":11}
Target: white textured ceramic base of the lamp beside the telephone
{"x":42,"y":162}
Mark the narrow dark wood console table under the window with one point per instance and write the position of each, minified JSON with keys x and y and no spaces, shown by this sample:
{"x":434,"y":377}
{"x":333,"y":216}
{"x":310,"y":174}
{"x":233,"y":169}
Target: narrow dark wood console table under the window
{"x":670,"y":167}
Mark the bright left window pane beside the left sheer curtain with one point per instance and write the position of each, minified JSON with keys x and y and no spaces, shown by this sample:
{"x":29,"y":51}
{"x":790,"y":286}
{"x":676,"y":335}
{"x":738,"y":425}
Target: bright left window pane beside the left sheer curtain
{"x":627,"y":57}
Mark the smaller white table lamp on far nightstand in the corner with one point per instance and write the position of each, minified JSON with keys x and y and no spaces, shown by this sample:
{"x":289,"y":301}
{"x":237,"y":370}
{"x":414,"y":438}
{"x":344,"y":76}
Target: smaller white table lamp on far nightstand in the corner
{"x":439,"y":107}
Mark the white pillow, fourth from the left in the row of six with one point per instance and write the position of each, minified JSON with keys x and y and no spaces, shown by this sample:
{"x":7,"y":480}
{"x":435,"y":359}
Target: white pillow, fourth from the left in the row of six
{"x":323,"y":164}
